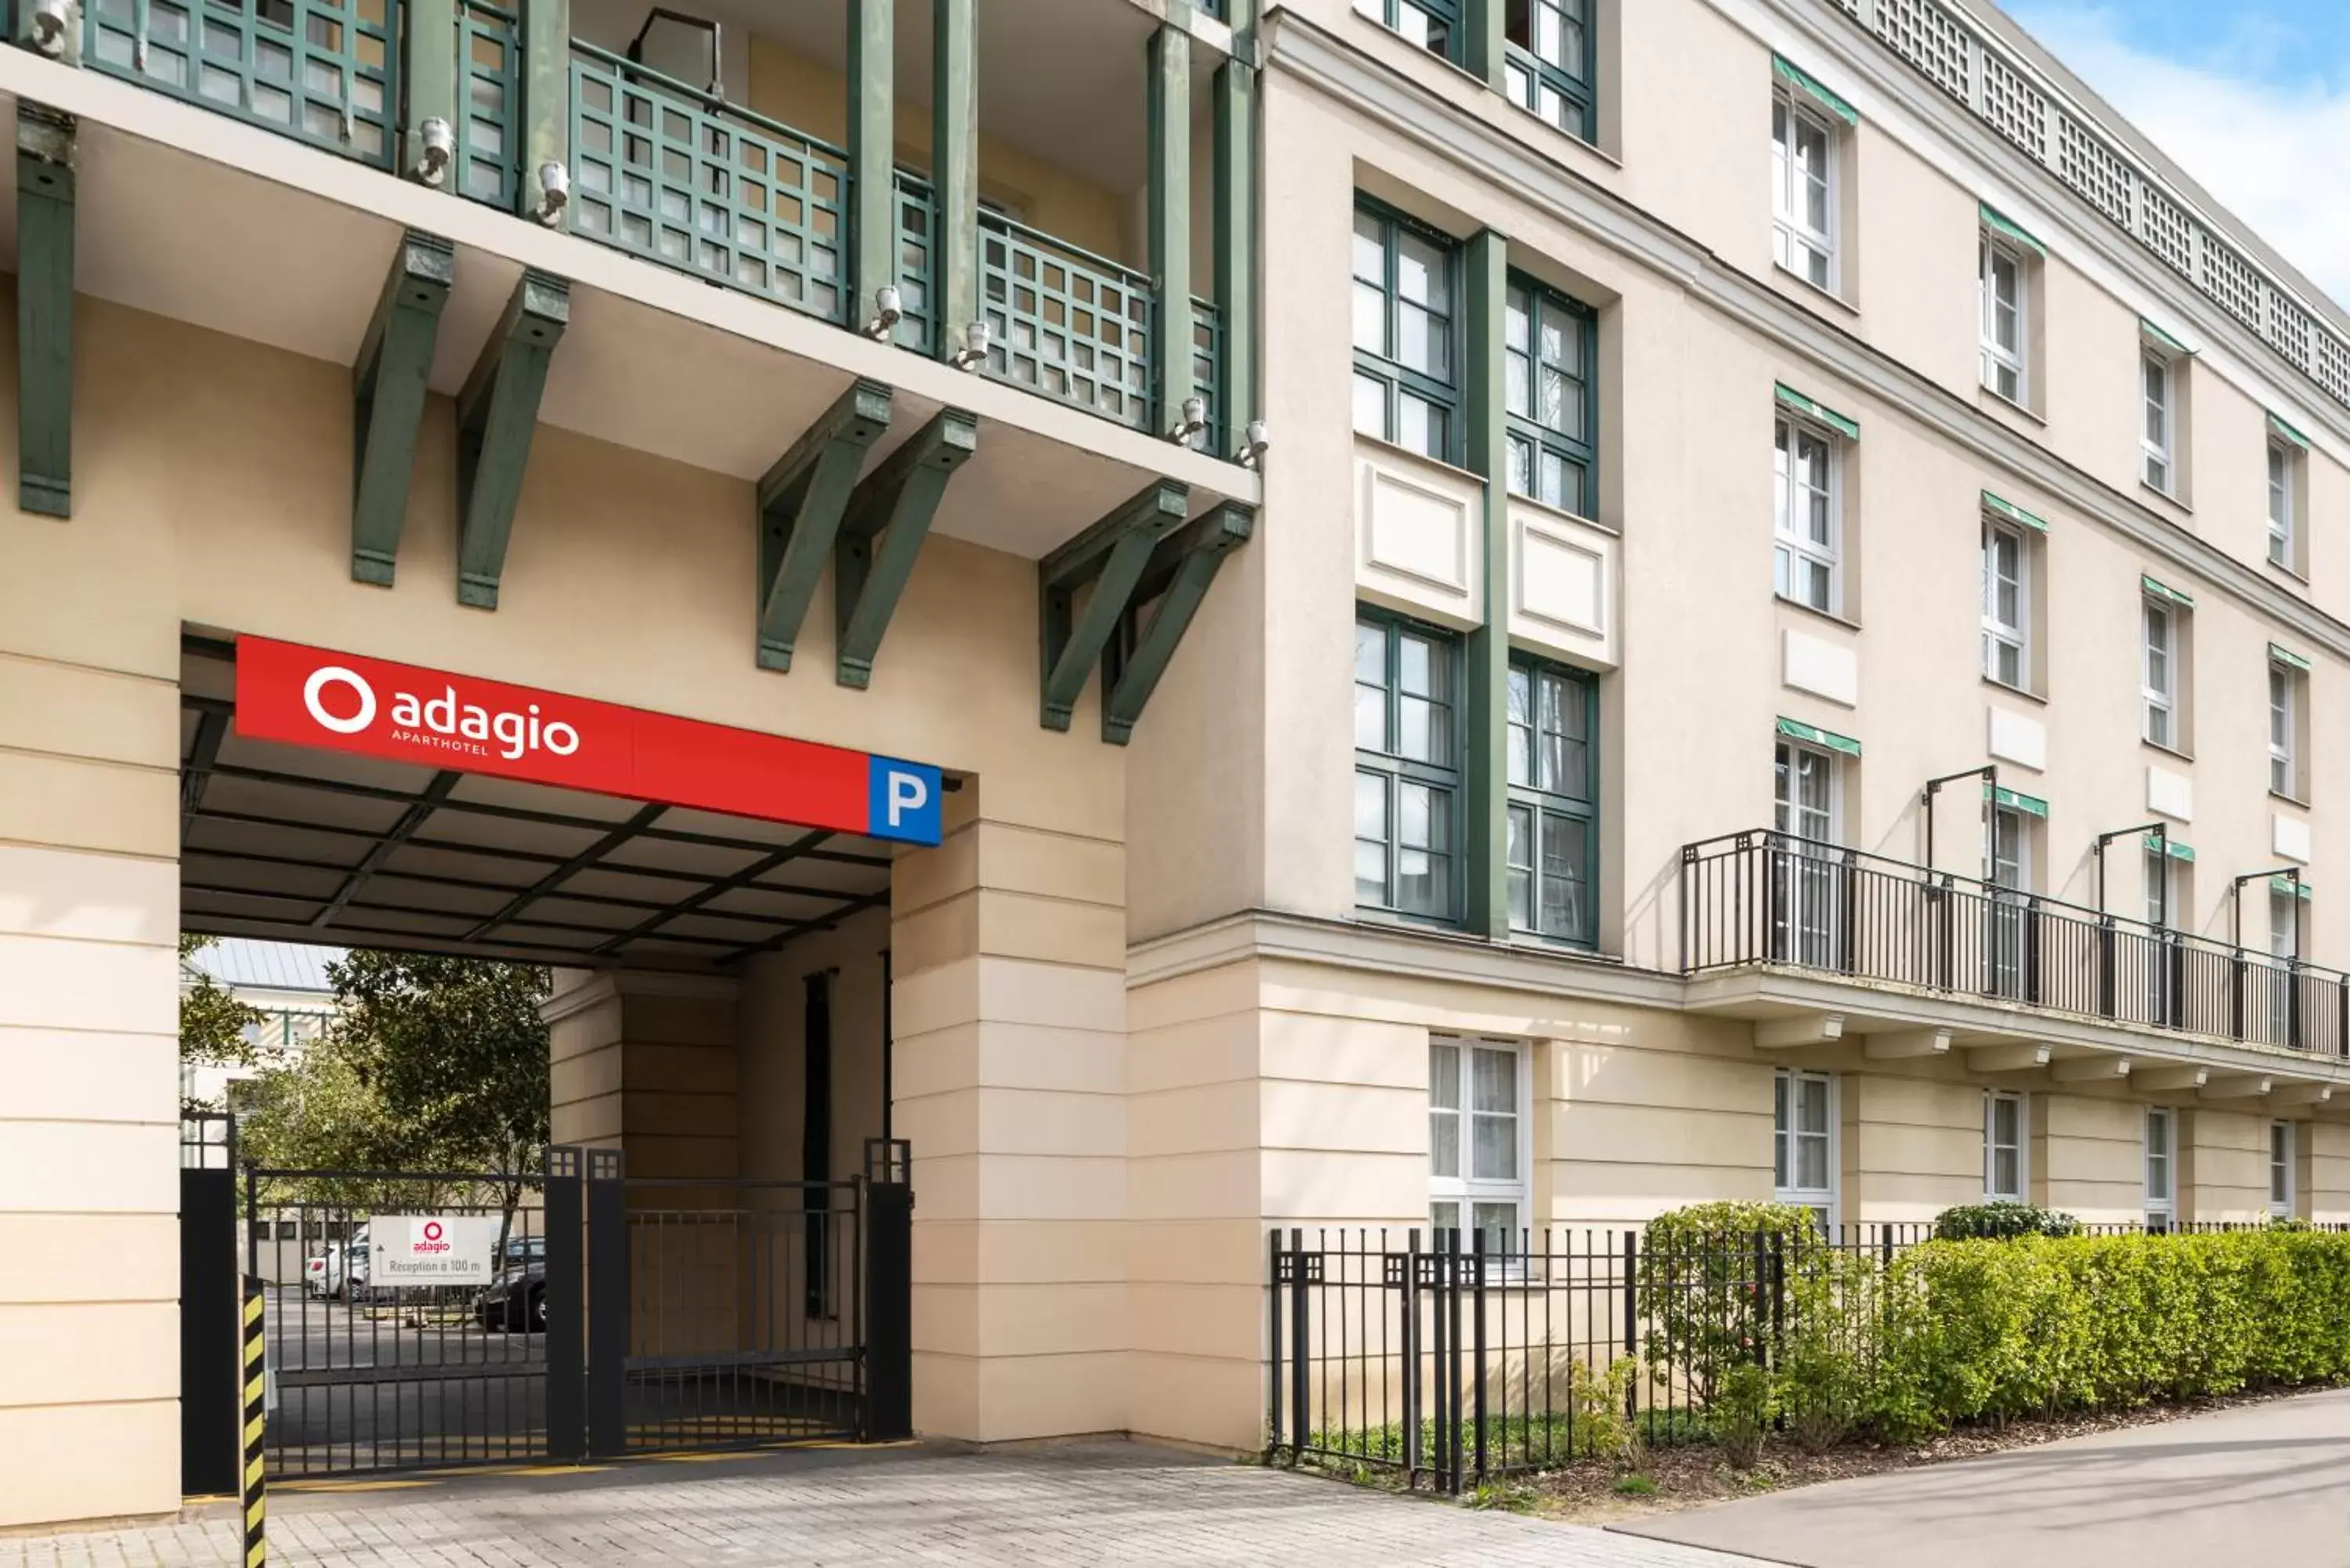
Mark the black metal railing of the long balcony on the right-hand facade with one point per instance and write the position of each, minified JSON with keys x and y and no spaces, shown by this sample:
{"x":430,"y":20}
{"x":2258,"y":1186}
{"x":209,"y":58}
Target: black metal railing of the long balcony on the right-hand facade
{"x":1764,"y":897}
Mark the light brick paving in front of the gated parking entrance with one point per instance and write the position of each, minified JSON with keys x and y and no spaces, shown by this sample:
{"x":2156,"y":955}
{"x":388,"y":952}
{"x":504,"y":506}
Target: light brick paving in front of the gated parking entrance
{"x":1052,"y":1508}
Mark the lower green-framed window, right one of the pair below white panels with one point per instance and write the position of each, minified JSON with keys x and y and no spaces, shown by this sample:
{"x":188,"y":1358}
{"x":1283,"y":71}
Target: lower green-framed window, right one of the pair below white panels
{"x":1552,"y":803}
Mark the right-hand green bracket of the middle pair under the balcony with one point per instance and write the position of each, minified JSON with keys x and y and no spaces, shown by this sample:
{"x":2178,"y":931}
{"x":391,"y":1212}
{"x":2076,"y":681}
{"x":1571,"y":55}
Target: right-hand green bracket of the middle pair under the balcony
{"x":882,"y":532}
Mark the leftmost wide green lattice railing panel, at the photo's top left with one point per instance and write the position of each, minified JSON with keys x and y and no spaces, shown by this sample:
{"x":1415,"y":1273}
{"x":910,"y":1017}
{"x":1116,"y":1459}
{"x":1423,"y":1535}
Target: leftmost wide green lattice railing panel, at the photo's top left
{"x":323,"y":72}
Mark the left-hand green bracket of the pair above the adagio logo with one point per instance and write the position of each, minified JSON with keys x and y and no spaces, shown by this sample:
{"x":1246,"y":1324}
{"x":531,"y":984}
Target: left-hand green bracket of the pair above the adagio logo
{"x":389,"y":401}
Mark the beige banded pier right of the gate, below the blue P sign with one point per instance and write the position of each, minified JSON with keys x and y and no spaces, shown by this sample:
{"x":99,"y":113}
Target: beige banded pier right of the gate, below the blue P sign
{"x":1009,"y":1010}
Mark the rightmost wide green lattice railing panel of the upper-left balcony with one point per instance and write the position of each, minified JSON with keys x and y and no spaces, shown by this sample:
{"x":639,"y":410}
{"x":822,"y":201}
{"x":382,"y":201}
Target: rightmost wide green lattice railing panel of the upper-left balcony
{"x":1066,"y":323}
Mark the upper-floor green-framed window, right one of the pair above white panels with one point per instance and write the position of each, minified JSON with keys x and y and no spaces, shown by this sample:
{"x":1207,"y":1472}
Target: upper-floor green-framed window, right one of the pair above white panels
{"x":1552,"y":347}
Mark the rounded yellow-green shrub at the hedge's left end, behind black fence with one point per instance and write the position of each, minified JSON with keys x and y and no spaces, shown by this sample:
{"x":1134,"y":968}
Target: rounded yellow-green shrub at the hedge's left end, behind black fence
{"x":1703,"y":1292}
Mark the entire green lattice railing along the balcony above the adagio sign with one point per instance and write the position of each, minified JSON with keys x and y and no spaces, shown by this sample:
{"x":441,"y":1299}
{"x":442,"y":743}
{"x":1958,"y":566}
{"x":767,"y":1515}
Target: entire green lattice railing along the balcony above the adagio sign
{"x":669,"y":173}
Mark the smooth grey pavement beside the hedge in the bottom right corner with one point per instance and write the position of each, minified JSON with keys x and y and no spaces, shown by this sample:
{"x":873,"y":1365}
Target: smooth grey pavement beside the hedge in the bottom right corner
{"x":2262,"y":1485}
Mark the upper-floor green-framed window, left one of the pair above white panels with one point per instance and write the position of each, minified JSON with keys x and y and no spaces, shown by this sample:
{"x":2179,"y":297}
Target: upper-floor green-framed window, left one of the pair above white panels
{"x":1406,"y":368}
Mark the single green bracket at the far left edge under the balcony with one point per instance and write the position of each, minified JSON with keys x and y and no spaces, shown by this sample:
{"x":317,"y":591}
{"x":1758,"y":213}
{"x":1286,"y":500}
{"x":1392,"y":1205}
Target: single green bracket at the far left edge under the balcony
{"x":46,"y":145}
